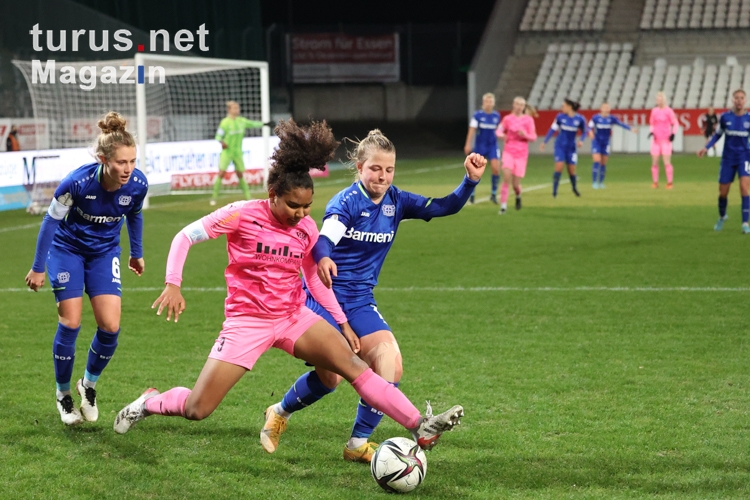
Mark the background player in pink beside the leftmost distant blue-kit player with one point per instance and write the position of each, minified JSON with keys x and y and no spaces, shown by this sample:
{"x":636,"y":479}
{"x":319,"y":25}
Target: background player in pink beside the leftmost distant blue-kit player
{"x":518,"y":130}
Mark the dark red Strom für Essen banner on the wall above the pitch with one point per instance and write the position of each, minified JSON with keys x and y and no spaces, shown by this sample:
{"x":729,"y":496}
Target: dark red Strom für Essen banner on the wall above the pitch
{"x":337,"y":57}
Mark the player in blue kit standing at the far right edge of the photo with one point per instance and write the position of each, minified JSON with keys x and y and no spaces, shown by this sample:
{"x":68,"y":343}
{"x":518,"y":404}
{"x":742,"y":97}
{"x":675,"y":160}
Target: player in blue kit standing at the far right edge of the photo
{"x":735,"y":160}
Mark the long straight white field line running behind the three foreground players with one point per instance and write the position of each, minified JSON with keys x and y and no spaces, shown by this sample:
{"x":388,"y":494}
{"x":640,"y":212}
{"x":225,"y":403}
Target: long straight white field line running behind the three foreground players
{"x":454,"y":289}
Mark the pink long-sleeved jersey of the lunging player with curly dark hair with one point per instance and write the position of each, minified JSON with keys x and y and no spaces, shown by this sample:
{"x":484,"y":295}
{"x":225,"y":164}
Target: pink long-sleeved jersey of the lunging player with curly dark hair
{"x":265,"y":258}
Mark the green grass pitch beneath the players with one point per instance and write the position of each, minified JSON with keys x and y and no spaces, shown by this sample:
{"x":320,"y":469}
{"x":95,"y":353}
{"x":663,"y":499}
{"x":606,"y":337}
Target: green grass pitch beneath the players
{"x":596,"y":343}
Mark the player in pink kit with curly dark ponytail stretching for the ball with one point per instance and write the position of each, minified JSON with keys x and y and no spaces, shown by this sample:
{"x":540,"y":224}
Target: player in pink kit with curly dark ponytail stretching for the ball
{"x":269,"y":242}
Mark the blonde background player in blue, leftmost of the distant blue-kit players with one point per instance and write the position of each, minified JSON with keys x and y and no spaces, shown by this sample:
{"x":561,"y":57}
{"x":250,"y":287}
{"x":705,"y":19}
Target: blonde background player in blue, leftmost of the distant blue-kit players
{"x":481,"y":139}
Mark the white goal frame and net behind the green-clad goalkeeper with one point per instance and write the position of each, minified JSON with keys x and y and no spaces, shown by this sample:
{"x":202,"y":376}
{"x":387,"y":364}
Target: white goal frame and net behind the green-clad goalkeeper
{"x":173,"y":105}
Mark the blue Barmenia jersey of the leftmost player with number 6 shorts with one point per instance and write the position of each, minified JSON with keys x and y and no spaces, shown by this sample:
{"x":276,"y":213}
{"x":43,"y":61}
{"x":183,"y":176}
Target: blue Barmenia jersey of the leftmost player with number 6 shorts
{"x":95,"y":216}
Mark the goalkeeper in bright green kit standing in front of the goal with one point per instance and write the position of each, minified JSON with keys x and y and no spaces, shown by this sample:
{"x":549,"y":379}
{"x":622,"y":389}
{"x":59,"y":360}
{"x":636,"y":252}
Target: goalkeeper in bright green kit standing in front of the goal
{"x":230,"y":133}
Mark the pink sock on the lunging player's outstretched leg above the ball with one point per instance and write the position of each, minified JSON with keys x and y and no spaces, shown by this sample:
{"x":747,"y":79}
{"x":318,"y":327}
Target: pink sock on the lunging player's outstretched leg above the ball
{"x":385,"y":397}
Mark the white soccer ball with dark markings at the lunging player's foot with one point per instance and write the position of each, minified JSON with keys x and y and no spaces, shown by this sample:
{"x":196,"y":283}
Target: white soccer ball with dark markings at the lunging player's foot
{"x":399,"y":465}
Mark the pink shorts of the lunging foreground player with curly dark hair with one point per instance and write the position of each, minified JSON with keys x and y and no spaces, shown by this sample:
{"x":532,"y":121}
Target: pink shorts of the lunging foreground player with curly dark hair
{"x":244,"y":338}
